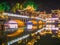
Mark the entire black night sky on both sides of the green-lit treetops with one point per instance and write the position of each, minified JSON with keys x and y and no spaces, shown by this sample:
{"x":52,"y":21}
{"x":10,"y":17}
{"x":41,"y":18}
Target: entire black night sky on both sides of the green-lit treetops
{"x":42,"y":4}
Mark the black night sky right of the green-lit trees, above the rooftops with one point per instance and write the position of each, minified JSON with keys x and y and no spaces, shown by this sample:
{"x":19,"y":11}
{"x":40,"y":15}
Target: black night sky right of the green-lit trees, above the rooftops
{"x":49,"y":4}
